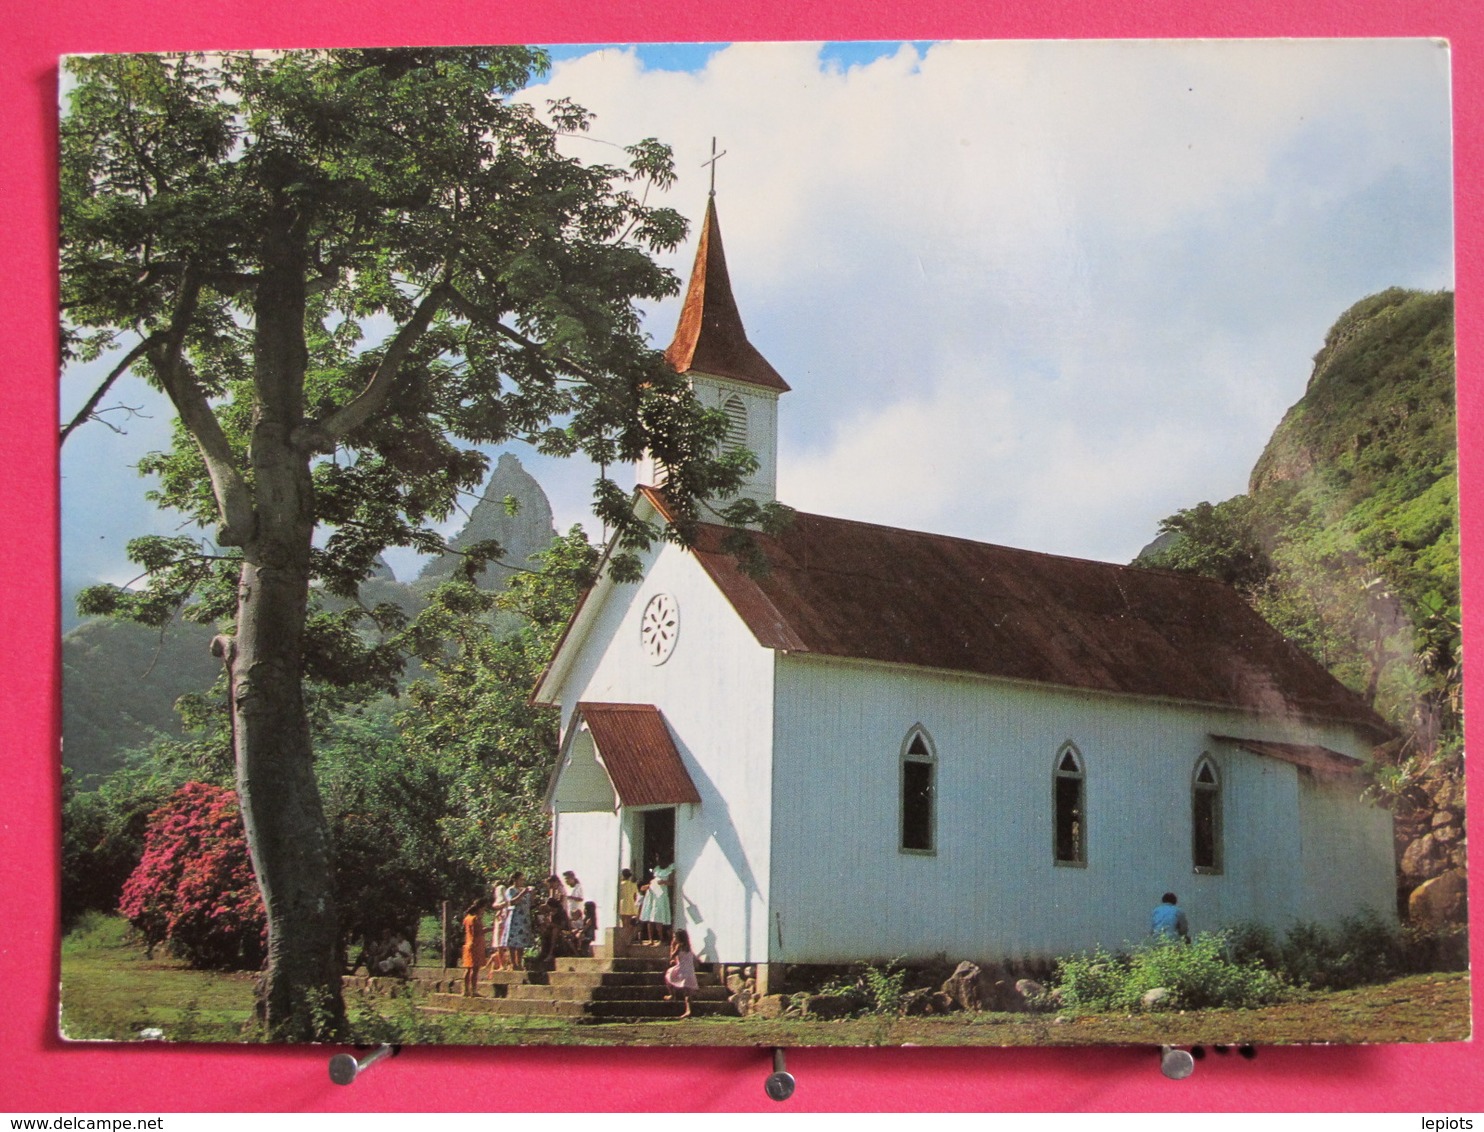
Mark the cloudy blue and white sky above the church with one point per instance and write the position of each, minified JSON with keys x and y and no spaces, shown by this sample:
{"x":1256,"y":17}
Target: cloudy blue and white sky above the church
{"x":1041,"y":294}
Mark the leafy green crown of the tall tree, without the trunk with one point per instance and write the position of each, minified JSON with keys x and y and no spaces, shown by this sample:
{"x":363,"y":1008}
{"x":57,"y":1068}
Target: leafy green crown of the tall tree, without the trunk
{"x":424,"y":195}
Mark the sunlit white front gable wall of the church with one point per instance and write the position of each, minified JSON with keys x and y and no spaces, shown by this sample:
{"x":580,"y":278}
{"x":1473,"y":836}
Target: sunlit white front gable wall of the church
{"x":716,"y":694}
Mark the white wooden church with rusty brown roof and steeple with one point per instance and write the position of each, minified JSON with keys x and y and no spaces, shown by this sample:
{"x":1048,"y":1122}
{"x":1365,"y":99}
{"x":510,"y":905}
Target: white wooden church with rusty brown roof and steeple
{"x":899,"y":744}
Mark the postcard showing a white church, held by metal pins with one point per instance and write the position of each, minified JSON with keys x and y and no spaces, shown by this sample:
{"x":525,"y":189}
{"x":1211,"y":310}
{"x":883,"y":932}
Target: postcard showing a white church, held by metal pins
{"x":1004,"y":593}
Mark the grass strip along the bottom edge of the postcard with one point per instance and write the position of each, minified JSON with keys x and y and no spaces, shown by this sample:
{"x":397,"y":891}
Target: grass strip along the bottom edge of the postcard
{"x":112,"y":992}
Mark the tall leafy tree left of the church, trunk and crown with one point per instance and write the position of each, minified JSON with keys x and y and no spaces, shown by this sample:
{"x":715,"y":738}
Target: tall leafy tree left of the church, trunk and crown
{"x":347,"y":269}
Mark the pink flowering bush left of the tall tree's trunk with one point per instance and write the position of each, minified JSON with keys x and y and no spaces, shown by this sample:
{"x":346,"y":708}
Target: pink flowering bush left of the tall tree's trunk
{"x":194,"y":888}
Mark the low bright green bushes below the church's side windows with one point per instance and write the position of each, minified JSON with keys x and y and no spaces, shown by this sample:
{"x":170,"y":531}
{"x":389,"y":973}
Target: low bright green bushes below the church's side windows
{"x":1198,"y":975}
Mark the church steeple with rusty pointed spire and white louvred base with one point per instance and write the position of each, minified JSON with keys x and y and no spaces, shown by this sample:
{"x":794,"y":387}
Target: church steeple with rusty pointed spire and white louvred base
{"x":725,"y":370}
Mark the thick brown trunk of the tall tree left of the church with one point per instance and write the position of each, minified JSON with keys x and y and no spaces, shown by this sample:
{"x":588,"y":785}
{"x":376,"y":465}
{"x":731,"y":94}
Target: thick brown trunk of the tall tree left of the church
{"x":299,"y":998}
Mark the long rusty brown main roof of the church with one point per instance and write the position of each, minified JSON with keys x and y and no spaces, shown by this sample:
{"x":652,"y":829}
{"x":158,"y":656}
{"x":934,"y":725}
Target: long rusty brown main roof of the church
{"x":854,"y":590}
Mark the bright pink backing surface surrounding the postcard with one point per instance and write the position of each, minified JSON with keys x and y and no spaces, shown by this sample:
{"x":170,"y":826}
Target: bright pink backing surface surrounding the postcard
{"x":45,"y":1075}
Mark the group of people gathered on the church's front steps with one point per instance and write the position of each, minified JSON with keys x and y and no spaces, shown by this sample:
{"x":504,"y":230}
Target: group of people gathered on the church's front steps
{"x":566,"y":925}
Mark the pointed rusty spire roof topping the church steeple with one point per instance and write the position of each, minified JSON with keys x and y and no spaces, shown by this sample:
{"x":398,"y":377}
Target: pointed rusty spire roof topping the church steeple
{"x":710,"y":338}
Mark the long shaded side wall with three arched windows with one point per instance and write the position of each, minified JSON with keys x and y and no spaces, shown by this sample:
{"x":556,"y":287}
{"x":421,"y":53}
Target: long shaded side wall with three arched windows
{"x":844,"y":889}
